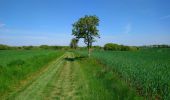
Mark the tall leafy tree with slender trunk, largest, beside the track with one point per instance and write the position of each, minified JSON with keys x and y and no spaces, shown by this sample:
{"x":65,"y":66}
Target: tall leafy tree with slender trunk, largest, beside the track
{"x":86,"y":28}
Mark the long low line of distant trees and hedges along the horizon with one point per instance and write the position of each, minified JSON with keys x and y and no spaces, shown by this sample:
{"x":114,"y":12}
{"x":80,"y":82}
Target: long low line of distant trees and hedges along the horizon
{"x":107,"y":46}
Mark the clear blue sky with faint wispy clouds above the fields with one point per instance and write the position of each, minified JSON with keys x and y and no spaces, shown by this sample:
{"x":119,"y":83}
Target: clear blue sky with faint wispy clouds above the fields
{"x":127,"y":22}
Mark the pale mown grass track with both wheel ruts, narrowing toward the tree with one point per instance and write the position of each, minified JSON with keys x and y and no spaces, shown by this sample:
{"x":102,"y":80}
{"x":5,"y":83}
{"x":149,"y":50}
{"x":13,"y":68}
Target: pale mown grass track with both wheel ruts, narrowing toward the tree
{"x":62,"y":80}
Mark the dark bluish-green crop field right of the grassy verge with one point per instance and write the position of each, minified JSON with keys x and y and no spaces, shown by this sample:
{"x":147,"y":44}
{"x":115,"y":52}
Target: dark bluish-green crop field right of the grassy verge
{"x":147,"y":70}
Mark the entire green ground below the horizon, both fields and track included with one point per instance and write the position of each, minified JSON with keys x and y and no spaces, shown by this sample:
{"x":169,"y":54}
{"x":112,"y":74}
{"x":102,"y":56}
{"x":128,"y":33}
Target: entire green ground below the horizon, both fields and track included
{"x":106,"y":75}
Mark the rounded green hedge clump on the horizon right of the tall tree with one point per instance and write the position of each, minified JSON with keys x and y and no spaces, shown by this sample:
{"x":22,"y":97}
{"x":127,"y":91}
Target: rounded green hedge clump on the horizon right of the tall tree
{"x":116,"y":47}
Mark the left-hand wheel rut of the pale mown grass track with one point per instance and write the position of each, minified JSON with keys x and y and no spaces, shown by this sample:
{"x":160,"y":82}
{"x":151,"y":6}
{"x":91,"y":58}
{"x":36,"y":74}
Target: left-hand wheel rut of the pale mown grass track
{"x":35,"y":89}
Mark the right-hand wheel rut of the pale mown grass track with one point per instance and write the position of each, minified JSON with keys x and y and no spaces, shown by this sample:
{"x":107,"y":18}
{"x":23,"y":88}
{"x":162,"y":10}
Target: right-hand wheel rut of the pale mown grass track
{"x":66,"y":84}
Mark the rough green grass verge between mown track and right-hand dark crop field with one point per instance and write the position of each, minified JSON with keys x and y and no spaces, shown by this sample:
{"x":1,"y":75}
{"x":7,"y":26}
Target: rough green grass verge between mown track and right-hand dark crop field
{"x":104,"y":84}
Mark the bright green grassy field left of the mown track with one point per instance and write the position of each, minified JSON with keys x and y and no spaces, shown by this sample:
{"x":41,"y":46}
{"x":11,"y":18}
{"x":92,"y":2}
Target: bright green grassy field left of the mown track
{"x":16,"y":65}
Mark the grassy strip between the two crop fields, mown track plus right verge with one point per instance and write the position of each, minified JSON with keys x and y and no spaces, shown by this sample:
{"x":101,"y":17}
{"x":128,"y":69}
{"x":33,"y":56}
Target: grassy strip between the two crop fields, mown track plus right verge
{"x":73,"y":77}
